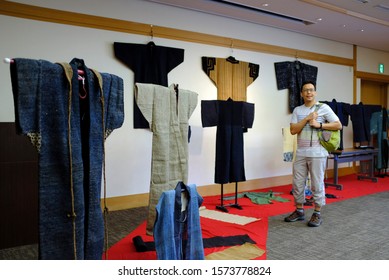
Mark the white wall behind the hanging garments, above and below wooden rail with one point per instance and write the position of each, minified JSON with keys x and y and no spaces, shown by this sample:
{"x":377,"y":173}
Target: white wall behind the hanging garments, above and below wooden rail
{"x":129,"y":150}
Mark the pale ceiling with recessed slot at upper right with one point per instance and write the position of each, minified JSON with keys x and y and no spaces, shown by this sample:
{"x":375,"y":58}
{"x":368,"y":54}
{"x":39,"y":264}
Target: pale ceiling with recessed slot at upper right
{"x":359,"y":22}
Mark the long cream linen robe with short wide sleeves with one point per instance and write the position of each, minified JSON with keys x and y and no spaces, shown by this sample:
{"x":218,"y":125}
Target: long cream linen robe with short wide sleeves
{"x":168,"y":110}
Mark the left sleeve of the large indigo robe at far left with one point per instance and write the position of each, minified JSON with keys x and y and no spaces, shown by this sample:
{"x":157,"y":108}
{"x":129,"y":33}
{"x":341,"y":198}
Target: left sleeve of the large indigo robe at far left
{"x":31,"y":103}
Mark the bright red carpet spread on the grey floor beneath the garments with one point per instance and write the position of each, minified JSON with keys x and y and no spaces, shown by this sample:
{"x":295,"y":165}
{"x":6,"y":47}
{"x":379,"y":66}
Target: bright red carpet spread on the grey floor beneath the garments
{"x":125,"y":249}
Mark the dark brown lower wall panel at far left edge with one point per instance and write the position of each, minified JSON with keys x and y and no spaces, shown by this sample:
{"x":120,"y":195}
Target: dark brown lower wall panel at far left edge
{"x":18,"y":189}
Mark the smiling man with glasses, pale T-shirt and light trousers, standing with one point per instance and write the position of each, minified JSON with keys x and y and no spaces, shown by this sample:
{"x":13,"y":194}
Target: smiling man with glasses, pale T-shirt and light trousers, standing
{"x":311,"y":156}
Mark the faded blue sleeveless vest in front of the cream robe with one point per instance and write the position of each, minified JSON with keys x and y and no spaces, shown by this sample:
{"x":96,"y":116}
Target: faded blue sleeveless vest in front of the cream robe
{"x":177,"y":231}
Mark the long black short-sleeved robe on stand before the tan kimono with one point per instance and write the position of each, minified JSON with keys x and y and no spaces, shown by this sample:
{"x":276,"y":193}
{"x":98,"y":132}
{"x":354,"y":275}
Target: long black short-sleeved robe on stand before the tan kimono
{"x":232,"y":118}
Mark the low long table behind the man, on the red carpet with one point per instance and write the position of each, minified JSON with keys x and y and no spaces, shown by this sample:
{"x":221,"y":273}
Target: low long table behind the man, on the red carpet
{"x":351,"y":155}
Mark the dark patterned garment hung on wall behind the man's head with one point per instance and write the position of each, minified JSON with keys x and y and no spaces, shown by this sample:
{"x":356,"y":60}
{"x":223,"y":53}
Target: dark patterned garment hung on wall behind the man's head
{"x":290,"y":75}
